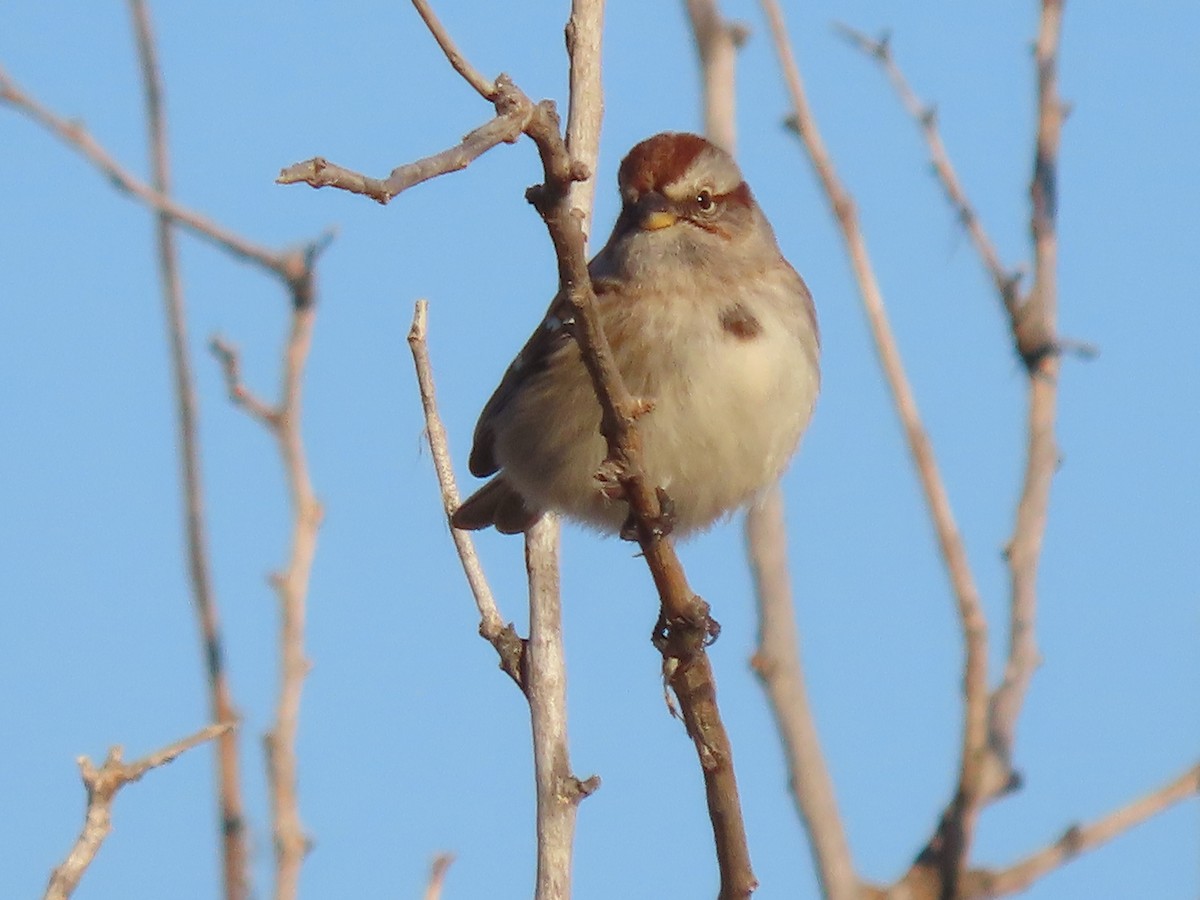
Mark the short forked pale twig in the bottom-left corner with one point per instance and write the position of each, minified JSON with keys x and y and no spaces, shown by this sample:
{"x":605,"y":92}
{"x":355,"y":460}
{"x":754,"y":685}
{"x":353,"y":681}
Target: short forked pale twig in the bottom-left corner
{"x":103,"y":785}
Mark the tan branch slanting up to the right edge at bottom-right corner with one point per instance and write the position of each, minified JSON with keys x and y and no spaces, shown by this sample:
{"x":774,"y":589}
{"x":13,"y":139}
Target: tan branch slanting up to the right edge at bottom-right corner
{"x":1081,"y":839}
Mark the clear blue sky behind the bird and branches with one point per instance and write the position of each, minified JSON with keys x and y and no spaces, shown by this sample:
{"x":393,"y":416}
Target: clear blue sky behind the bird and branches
{"x":412,"y":743}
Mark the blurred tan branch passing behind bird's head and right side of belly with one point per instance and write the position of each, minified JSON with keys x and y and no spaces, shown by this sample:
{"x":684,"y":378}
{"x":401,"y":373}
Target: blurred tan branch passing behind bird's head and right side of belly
{"x":777,"y":661}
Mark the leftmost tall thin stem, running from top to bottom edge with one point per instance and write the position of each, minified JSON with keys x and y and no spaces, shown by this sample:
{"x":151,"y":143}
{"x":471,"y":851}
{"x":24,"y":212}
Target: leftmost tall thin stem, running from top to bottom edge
{"x":232,"y":823}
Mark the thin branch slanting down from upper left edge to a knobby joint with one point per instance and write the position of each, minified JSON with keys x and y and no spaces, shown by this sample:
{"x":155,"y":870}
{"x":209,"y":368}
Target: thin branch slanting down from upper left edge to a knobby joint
{"x":76,"y":136}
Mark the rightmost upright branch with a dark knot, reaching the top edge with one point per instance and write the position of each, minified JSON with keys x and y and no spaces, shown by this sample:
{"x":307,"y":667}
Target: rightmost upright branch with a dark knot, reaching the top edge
{"x":1036,"y":328}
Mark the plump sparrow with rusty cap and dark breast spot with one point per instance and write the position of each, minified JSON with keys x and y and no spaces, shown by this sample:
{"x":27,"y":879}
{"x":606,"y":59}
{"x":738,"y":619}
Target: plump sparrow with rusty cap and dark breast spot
{"x":712,"y":331}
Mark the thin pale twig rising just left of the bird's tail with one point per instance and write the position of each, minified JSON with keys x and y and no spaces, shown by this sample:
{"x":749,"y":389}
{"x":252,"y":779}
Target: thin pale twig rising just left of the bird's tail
{"x":502,"y":637}
